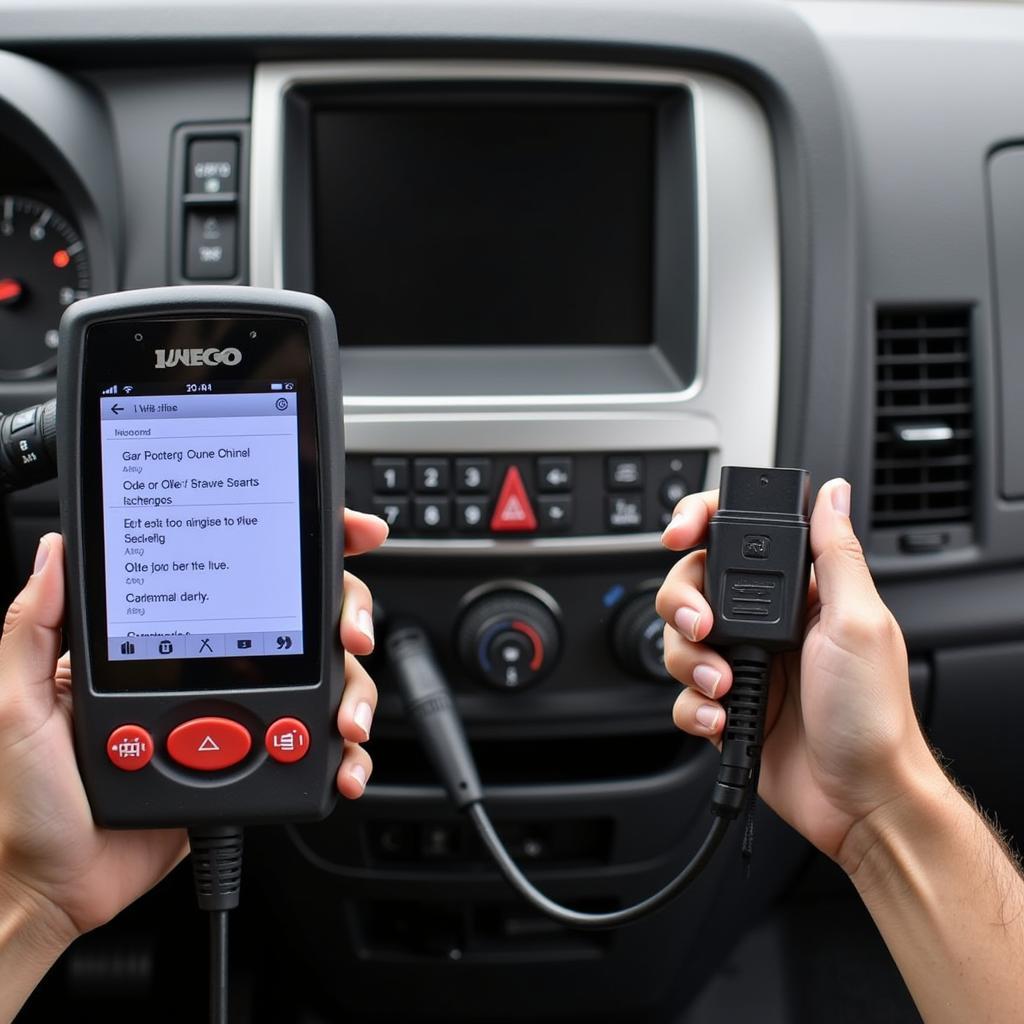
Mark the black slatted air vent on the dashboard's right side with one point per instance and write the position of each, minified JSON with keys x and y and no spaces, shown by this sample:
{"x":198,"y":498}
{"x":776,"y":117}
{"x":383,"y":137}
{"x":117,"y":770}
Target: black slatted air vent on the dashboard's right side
{"x":924,"y":440}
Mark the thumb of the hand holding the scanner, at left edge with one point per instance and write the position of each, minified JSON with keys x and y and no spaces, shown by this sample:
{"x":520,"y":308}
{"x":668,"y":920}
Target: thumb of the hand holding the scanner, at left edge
{"x":32,"y":630}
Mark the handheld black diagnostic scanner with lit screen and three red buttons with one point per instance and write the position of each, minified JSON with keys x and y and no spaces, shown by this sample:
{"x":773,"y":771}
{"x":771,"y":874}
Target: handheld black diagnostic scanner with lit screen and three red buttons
{"x":201,"y":454}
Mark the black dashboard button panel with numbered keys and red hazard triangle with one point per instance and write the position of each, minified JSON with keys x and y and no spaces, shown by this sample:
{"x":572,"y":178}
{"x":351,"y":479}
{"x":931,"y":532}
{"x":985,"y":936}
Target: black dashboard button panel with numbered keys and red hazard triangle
{"x":571,"y":494}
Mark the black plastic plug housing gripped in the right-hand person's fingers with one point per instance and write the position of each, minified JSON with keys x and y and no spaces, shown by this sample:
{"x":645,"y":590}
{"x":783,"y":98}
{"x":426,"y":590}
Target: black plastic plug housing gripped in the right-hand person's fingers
{"x":759,"y":559}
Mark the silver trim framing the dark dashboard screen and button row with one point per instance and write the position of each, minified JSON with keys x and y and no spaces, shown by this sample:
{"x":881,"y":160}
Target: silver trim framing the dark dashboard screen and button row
{"x":732,"y":408}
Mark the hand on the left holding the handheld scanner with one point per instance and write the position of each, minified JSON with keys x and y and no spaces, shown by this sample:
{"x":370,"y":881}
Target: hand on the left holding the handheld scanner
{"x":67,"y":874}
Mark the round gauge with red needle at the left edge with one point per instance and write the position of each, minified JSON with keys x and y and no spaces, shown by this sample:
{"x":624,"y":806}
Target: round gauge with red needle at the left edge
{"x":44,"y":269}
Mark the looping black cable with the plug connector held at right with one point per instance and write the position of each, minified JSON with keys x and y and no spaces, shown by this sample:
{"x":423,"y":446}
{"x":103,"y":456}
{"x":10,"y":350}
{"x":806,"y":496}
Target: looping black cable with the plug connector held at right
{"x":756,"y":582}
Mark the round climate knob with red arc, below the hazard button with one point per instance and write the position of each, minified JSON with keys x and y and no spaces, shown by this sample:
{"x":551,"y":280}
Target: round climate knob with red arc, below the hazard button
{"x":508,"y":639}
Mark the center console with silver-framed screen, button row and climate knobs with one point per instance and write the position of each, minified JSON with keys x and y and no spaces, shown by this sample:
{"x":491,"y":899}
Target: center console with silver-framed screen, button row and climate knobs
{"x":558,"y":289}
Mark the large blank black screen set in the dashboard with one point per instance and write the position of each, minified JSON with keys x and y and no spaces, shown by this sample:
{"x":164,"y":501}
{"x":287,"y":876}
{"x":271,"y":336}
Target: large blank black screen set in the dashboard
{"x":454,"y":225}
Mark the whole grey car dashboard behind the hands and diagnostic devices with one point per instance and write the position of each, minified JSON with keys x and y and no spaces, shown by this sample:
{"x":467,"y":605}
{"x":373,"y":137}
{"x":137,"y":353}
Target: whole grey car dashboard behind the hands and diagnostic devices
{"x":582,"y":255}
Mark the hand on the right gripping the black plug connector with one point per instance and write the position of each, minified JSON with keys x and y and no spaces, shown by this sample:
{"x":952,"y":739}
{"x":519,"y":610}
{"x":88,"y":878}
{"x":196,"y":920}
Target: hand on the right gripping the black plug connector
{"x":841,"y":737}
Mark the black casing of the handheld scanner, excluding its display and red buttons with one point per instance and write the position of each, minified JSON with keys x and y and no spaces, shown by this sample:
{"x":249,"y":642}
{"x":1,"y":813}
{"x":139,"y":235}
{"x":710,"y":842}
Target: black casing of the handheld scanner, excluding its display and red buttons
{"x":259,"y":790}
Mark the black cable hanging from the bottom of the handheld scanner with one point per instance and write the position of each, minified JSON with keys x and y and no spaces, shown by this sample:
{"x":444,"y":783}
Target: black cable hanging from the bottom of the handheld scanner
{"x":217,"y":856}
